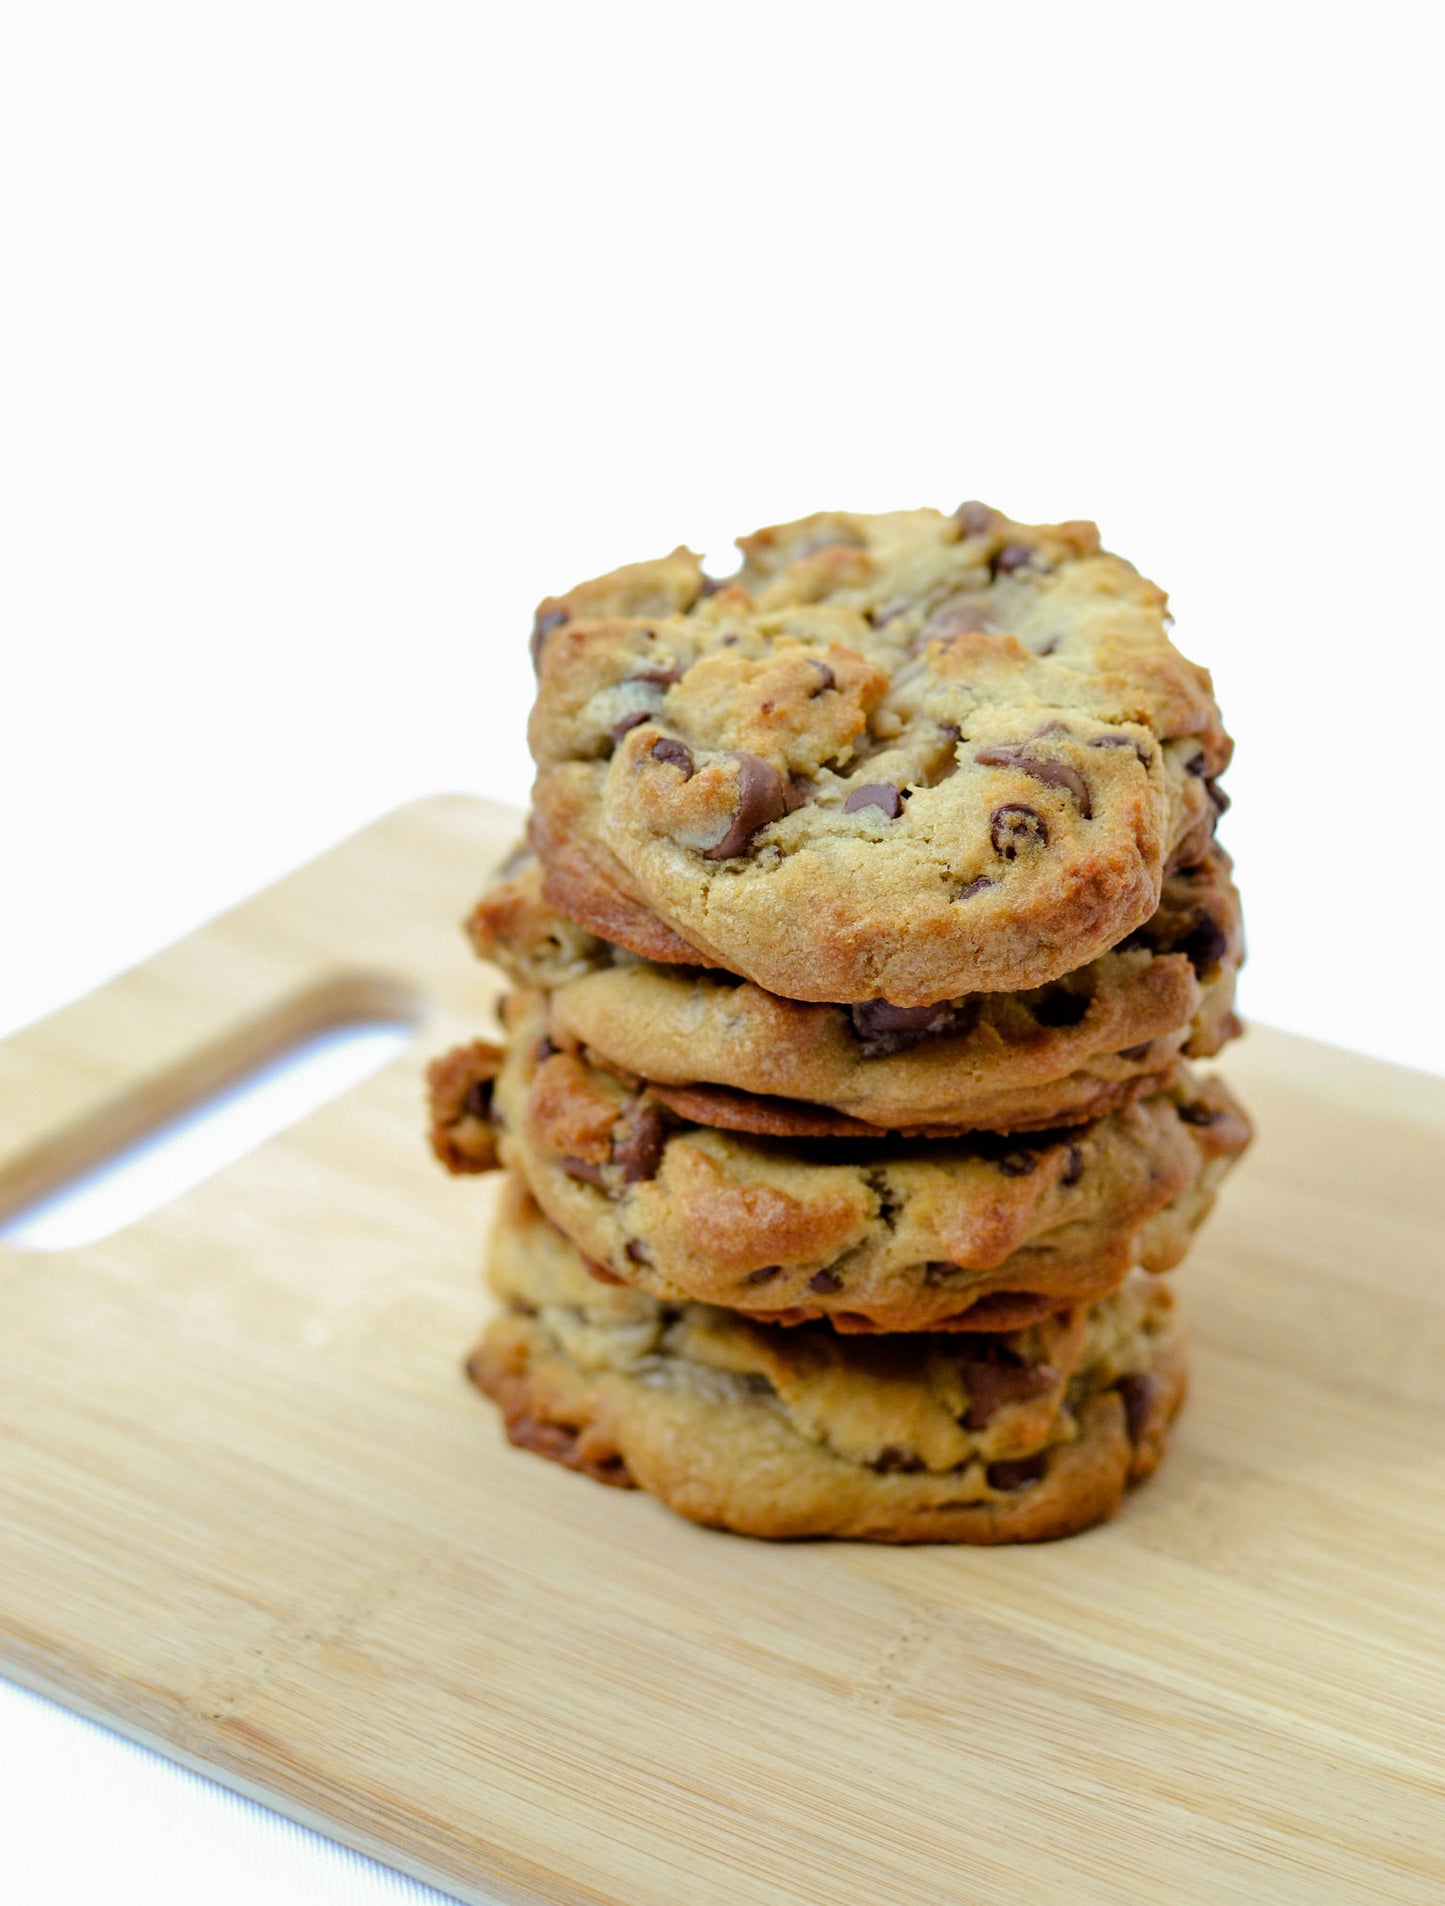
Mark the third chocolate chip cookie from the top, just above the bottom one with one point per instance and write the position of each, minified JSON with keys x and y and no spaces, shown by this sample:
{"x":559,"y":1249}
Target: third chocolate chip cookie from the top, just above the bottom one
{"x":954,"y":1234}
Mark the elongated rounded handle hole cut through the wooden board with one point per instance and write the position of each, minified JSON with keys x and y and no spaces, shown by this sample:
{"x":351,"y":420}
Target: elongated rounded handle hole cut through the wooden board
{"x":152,"y":1146}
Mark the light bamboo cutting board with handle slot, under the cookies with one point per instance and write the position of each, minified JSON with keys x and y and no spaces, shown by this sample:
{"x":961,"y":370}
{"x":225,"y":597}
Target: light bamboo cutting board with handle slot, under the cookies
{"x":253,"y":1514}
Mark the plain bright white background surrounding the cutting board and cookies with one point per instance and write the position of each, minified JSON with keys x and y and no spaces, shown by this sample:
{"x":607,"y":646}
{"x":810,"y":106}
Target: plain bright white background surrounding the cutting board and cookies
{"x":333,"y":336}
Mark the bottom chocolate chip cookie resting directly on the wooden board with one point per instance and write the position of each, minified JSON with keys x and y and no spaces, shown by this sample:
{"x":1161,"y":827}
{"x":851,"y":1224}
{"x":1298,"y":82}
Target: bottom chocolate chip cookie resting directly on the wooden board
{"x":1013,"y":1438}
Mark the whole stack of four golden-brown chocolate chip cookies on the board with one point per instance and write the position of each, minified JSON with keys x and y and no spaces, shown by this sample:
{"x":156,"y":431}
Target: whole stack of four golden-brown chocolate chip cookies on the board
{"x":868,"y":925}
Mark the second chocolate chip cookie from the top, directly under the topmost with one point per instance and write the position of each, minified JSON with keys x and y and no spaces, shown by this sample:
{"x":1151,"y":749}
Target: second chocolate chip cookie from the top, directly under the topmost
{"x":729,"y":1055}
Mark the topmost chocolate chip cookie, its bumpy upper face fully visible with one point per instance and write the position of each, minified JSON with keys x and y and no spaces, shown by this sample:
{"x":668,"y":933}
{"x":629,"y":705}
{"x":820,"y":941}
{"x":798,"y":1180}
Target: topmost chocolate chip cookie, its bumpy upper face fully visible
{"x":897,"y":758}
